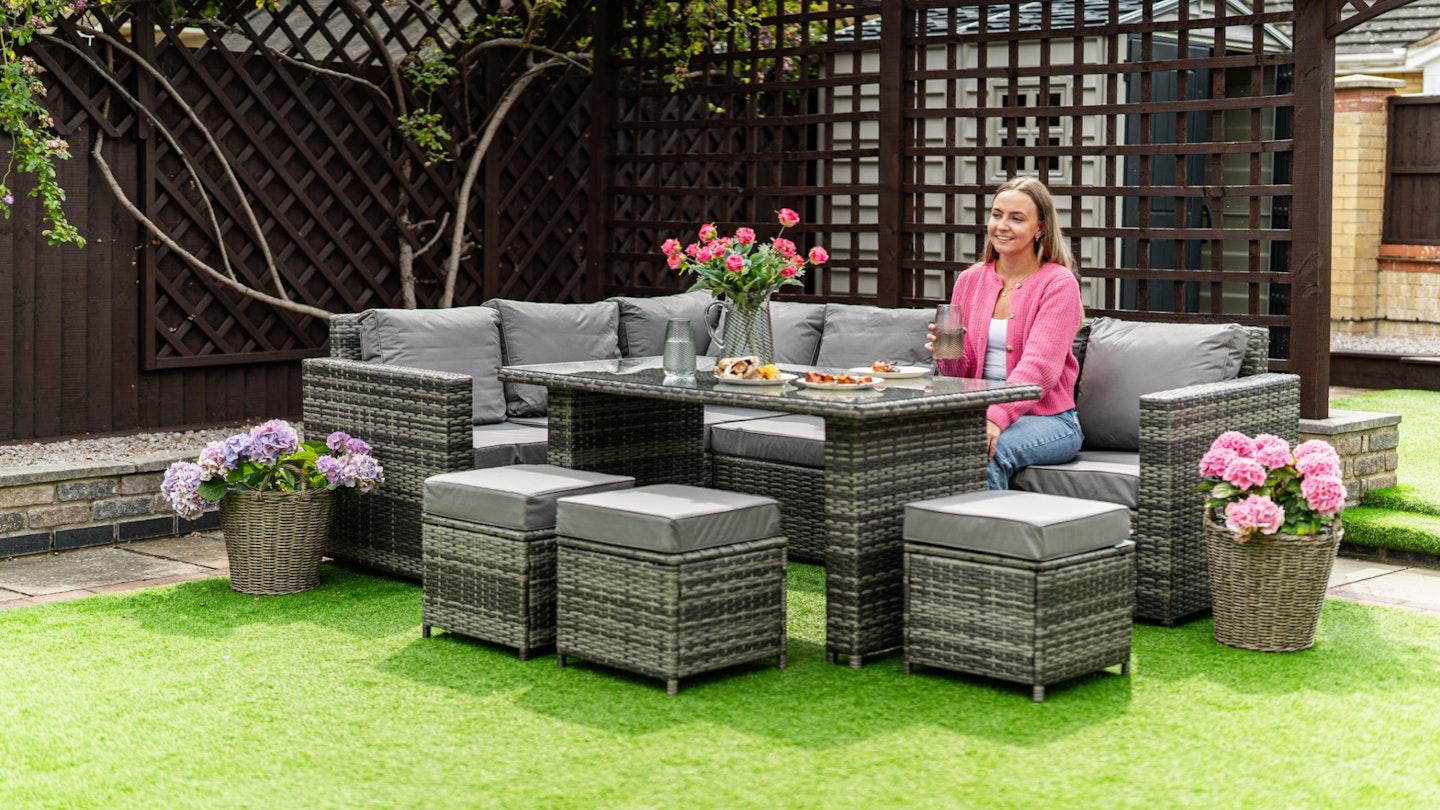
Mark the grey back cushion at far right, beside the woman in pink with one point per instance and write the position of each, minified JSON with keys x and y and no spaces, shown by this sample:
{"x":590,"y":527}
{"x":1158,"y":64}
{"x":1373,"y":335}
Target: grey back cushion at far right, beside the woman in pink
{"x":1125,"y":361}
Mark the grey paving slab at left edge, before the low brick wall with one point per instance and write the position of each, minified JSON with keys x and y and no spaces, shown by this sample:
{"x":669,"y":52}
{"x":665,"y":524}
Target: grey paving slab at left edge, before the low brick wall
{"x":86,"y":570}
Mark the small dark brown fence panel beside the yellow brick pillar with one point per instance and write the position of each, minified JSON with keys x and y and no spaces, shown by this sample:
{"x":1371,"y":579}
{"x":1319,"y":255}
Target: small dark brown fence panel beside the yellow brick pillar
{"x":1413,"y":171}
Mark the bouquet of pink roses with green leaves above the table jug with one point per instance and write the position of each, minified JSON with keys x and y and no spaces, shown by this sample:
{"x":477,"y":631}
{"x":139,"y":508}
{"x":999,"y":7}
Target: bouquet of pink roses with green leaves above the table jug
{"x":739,"y":266}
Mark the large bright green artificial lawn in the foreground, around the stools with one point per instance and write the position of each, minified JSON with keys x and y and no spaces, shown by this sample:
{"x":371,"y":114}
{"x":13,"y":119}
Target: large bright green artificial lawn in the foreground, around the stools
{"x":197,"y":697}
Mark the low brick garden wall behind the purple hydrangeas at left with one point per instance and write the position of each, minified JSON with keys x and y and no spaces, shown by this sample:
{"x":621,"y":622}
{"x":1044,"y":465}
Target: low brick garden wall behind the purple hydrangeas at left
{"x":64,"y":507}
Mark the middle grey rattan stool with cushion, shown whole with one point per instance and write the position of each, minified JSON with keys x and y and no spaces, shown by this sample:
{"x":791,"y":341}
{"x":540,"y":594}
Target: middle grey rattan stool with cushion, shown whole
{"x":670,"y":582}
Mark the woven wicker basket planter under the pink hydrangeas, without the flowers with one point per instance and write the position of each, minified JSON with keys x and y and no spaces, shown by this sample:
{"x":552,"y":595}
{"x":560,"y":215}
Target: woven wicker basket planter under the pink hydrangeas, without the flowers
{"x":1268,"y":593}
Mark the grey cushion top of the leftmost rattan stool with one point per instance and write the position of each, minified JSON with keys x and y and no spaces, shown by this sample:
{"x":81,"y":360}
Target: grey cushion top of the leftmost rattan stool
{"x":521,"y":497}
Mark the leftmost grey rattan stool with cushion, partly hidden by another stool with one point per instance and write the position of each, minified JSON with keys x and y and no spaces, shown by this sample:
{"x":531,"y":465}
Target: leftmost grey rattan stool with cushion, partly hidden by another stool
{"x":489,"y":551}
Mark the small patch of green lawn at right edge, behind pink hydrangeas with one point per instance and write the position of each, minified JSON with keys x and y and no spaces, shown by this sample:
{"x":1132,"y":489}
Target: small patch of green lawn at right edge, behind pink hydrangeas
{"x":1406,"y":517}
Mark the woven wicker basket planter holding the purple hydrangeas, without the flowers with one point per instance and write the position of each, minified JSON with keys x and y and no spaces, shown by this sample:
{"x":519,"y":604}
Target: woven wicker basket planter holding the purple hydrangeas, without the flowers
{"x":274,"y":540}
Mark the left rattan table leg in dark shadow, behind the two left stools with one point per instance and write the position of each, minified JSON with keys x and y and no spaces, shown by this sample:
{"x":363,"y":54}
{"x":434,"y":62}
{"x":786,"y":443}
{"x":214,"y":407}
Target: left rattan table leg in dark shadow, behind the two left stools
{"x":657,"y":442}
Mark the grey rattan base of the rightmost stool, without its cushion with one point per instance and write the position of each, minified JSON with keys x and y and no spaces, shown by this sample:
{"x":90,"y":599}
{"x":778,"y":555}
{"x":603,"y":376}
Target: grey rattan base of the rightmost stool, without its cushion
{"x":1017,"y":620}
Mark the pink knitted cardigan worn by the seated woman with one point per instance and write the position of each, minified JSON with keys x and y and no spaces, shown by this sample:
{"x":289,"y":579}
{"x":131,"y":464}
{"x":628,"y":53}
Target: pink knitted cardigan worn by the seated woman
{"x":1046,"y":316}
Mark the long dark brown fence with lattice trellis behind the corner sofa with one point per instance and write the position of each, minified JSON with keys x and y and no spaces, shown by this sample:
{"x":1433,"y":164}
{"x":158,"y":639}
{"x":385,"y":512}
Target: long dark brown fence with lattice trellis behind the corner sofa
{"x":1187,"y":145}
